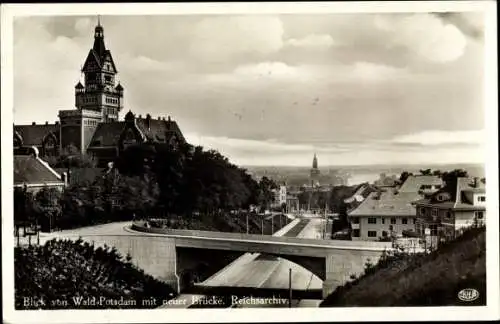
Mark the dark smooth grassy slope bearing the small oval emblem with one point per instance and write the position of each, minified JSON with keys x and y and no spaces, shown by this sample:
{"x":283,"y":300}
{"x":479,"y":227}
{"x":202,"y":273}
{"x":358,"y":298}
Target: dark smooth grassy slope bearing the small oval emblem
{"x":421,"y":280}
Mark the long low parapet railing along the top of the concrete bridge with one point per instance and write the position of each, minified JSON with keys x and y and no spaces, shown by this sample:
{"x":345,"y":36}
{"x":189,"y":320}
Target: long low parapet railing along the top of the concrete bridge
{"x":142,"y":227}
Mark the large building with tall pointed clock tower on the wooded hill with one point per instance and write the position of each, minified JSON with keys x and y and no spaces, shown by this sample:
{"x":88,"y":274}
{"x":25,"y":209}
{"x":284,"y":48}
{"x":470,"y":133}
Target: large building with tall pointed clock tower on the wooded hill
{"x":93,"y":127}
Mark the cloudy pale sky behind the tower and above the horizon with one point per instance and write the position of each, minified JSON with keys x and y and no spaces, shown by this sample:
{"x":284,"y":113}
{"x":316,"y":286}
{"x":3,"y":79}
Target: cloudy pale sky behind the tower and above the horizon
{"x":355,"y":89}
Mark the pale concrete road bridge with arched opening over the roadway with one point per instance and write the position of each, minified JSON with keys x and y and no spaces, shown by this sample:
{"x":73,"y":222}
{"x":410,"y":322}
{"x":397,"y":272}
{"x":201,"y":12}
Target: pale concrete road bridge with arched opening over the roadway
{"x":169,"y":254}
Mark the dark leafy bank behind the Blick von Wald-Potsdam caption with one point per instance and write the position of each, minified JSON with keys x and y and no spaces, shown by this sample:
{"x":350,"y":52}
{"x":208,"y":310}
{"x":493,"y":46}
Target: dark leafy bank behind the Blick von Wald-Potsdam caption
{"x":67,"y":274}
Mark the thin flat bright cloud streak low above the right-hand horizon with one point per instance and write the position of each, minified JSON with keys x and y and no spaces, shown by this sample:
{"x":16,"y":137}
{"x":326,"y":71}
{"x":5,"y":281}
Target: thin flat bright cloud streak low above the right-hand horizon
{"x":438,"y":137}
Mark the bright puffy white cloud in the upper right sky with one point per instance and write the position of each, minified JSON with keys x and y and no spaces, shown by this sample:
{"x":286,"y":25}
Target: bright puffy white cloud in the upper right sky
{"x":425,"y":35}
